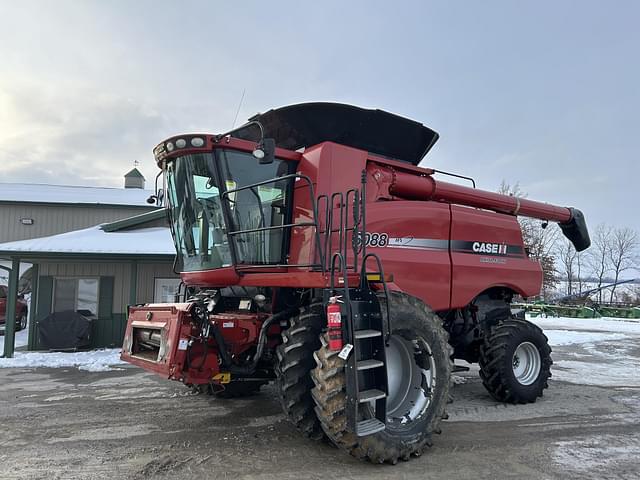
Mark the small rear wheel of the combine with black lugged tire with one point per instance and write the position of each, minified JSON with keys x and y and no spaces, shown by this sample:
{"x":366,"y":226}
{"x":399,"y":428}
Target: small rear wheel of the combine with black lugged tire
{"x":515,"y":362}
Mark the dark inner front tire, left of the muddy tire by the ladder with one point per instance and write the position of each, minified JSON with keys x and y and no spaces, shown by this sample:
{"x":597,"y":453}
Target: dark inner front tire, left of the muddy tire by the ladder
{"x":293,"y":369}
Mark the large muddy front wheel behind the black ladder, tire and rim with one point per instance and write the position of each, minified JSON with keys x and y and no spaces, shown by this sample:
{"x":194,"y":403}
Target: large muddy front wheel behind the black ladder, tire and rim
{"x":408,"y":429}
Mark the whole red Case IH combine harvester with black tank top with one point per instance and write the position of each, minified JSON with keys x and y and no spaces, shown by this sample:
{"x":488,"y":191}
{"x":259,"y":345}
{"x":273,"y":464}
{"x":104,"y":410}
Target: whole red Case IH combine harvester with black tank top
{"x":315,"y":252}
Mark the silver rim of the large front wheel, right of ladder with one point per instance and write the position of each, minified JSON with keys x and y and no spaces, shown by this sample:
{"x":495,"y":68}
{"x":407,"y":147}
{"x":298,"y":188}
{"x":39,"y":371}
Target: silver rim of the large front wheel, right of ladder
{"x":411,"y":377}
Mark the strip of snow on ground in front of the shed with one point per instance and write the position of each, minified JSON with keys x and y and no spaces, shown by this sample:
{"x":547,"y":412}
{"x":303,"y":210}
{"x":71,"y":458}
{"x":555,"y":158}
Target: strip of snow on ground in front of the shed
{"x":92,"y":361}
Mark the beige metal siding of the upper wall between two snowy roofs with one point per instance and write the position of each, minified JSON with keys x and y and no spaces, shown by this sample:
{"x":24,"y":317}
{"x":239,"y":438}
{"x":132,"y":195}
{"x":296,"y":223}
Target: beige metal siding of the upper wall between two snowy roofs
{"x":53,"y":219}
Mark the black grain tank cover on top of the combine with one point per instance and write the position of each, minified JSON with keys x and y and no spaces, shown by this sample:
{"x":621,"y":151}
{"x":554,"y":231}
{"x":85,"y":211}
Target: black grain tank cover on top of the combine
{"x":376,"y":131}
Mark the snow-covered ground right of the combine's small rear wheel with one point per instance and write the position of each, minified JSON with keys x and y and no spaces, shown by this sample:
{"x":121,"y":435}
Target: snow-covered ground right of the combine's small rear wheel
{"x":598,"y":351}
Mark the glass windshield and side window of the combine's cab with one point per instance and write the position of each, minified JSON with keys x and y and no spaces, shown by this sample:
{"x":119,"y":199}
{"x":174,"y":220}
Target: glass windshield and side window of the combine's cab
{"x":205,"y":218}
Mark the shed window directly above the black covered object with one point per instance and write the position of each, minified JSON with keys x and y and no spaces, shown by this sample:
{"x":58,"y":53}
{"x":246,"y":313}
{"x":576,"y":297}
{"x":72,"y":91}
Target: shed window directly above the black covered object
{"x":77,"y":294}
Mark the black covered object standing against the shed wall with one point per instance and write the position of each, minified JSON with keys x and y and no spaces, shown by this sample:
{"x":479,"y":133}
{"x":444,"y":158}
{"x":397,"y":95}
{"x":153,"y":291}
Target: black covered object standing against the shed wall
{"x":65,"y":330}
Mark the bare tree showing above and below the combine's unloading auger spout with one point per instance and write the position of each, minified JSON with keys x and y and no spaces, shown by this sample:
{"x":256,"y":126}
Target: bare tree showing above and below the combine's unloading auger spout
{"x":539,"y":238}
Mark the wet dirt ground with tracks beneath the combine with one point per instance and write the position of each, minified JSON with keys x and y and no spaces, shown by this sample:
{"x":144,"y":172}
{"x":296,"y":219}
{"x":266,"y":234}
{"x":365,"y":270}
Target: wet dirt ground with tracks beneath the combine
{"x":67,"y":423}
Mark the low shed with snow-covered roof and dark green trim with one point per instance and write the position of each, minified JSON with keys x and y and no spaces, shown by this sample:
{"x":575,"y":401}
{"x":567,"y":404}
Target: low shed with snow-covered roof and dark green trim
{"x":98,"y":270}
